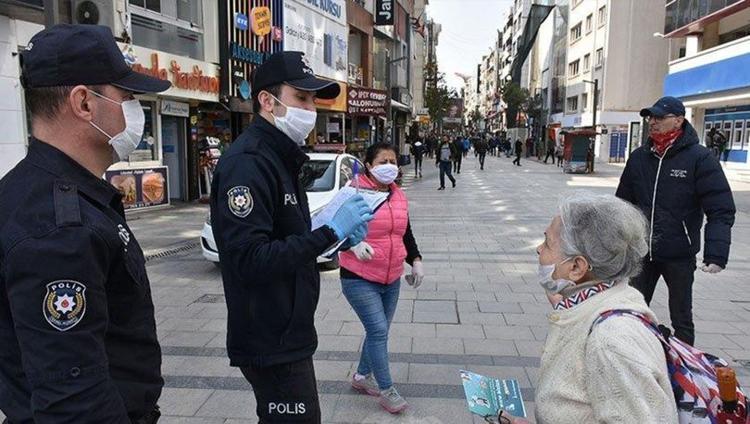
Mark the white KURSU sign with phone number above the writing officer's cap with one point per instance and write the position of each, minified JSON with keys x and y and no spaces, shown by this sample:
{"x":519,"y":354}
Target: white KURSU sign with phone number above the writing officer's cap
{"x":319,"y":29}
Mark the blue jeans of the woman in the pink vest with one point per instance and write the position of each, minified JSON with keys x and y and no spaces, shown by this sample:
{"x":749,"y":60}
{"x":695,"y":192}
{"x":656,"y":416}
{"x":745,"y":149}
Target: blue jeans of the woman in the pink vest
{"x":375,"y":305}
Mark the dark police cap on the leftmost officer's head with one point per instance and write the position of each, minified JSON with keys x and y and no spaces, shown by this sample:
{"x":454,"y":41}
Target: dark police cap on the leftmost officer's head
{"x":67,"y":55}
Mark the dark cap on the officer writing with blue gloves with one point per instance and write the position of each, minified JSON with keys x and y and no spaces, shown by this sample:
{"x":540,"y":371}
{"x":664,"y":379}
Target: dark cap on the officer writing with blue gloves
{"x":291,"y":68}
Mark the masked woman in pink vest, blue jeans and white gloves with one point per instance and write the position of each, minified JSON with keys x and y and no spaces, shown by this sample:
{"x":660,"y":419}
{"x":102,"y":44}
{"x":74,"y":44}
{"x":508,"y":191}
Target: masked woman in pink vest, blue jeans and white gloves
{"x":371,"y":275}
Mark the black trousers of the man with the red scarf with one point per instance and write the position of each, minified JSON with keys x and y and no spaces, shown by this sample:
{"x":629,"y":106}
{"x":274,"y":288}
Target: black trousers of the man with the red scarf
{"x":679,"y":277}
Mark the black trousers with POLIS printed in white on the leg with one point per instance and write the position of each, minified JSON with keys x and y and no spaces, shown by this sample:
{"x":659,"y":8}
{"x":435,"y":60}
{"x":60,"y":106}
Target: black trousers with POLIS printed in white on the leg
{"x":285,"y":393}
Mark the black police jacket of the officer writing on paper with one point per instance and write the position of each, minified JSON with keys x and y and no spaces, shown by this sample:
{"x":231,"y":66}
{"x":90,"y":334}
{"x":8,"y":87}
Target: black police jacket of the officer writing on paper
{"x":261,"y":223}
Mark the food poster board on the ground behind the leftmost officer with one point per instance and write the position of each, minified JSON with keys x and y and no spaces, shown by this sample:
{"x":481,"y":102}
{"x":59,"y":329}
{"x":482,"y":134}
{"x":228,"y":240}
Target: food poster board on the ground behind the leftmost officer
{"x":141,"y":188}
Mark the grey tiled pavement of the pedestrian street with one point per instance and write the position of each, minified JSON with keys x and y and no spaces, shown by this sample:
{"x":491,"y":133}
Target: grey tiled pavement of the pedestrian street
{"x":478,"y":309}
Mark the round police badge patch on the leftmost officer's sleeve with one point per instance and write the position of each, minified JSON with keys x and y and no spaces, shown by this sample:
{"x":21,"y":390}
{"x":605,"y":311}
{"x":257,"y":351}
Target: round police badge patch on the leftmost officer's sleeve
{"x":64,"y":304}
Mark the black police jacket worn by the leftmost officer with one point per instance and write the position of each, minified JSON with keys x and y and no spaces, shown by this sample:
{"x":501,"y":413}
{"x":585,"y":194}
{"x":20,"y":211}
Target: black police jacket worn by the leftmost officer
{"x":77,"y":330}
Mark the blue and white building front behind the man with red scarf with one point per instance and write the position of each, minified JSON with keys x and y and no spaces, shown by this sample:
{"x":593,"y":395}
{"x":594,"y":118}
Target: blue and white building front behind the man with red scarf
{"x":709,"y":51}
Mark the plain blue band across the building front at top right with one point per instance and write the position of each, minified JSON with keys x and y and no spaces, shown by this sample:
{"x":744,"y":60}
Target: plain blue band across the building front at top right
{"x":722,"y":75}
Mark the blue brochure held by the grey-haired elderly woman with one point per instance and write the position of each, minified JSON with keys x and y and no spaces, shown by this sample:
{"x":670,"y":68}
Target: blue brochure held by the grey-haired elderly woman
{"x":487,"y":396}
